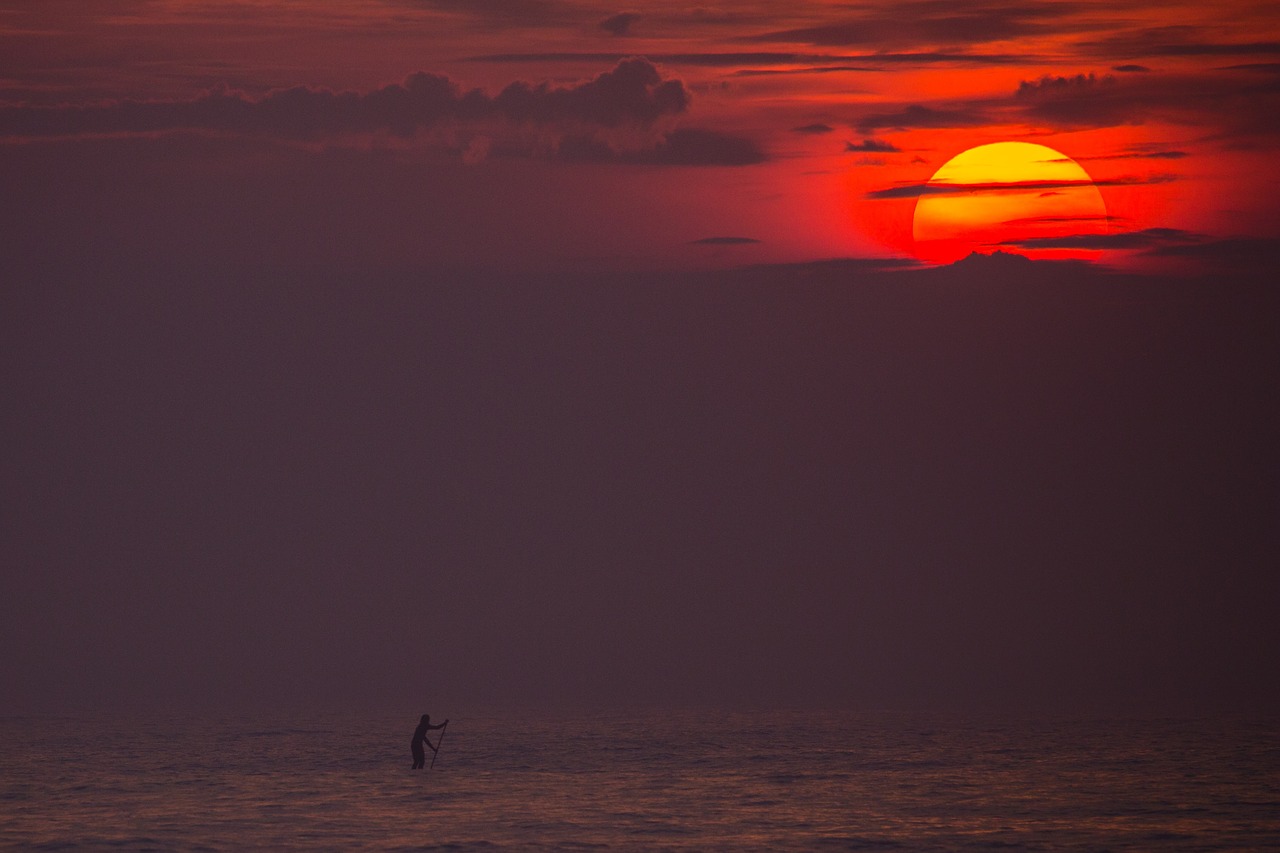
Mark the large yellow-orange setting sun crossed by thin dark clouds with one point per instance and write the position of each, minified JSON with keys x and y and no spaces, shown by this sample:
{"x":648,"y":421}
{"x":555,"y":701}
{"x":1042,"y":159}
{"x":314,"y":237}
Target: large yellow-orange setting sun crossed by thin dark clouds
{"x":1011,"y":197}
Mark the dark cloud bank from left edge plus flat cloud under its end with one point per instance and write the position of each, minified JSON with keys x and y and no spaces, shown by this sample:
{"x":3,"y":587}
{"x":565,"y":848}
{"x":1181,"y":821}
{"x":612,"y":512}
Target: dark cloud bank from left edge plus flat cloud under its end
{"x":621,"y":116}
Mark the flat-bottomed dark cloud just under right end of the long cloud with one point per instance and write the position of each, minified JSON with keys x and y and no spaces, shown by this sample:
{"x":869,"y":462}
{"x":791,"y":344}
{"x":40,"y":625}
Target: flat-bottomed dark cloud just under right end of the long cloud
{"x":682,"y":148}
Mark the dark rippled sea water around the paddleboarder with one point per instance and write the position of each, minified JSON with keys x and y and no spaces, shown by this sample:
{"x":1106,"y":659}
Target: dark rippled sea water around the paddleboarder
{"x":720,"y":782}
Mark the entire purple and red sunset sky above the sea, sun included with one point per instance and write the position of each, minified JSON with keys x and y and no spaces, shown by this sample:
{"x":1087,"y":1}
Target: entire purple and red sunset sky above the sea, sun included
{"x":556,"y":354}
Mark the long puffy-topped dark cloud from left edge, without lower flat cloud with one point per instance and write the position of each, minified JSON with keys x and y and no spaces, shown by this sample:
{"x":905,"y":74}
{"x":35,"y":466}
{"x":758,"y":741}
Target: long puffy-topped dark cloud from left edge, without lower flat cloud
{"x":632,"y":94}
